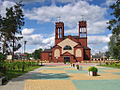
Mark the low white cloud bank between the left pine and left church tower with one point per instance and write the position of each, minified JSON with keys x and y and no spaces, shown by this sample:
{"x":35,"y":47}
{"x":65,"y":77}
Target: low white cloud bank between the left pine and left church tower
{"x":35,"y":41}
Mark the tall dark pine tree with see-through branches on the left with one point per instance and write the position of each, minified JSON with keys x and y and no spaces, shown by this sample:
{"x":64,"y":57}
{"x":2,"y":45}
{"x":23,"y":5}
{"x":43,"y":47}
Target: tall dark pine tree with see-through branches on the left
{"x":11,"y":25}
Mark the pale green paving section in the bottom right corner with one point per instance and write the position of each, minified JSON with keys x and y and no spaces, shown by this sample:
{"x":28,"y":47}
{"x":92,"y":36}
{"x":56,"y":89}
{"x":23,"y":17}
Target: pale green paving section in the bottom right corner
{"x":97,"y":84}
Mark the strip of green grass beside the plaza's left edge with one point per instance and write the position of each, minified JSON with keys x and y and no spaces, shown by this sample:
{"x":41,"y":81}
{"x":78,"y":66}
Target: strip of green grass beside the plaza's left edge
{"x":15,"y":73}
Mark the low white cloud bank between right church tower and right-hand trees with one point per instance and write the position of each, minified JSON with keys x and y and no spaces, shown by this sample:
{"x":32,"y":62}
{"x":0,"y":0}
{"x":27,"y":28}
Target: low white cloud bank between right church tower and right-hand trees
{"x":98,"y":43}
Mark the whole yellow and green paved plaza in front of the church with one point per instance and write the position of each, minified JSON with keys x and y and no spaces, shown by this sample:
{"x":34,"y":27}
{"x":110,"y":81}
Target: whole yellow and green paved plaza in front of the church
{"x":64,"y":77}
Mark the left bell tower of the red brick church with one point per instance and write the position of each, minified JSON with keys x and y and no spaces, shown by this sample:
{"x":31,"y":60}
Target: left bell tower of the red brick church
{"x":59,"y":31}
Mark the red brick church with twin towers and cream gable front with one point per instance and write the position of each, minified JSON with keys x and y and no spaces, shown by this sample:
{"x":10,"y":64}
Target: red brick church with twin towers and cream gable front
{"x":68,"y":48}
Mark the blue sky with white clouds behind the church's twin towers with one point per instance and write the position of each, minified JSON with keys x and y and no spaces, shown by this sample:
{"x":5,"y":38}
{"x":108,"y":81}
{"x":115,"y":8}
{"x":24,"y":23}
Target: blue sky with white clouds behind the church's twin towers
{"x":41,"y":15}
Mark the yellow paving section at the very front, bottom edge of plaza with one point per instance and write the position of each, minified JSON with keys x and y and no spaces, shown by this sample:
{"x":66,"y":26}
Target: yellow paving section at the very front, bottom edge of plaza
{"x":49,"y":85}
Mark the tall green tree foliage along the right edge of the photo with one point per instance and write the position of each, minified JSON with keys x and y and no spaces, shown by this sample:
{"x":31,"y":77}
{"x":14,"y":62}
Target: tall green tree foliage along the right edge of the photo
{"x":114,"y":26}
